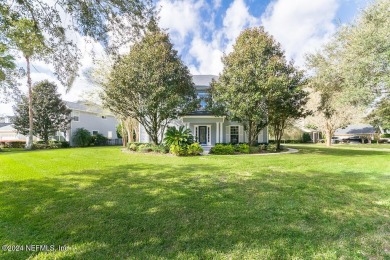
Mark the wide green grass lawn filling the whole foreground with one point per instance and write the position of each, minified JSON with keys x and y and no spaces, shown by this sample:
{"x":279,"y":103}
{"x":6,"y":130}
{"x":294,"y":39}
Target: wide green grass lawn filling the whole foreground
{"x":106,"y":204}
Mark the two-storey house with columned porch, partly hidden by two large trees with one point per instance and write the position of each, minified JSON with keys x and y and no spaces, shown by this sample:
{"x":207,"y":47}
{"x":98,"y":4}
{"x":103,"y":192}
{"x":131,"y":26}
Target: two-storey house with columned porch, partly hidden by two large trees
{"x":207,"y":128}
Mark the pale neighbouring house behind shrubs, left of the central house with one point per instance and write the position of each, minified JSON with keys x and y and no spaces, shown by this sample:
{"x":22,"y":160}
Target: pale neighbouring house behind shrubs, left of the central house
{"x":91,"y":117}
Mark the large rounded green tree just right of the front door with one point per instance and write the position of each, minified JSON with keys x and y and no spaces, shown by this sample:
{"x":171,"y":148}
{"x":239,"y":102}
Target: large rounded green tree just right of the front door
{"x":256,"y":83}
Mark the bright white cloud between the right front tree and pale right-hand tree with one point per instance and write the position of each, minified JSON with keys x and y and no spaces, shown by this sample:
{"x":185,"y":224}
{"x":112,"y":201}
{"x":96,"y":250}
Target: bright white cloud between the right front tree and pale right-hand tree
{"x":301,"y":26}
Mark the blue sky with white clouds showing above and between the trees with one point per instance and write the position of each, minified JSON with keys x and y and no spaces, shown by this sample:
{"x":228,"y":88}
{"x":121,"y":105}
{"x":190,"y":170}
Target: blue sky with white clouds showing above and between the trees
{"x":202,"y":30}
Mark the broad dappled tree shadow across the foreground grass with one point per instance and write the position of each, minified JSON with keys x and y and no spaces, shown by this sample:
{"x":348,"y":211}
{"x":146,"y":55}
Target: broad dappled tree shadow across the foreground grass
{"x":195,"y":211}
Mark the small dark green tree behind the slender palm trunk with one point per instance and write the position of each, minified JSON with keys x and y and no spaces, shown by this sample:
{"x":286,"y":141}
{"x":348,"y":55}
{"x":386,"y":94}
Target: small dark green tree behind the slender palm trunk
{"x":50,"y":112}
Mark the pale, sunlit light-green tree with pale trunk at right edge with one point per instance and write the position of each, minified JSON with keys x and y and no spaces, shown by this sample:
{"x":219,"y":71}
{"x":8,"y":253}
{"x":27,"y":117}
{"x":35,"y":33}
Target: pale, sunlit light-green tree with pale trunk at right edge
{"x":351,"y":70}
